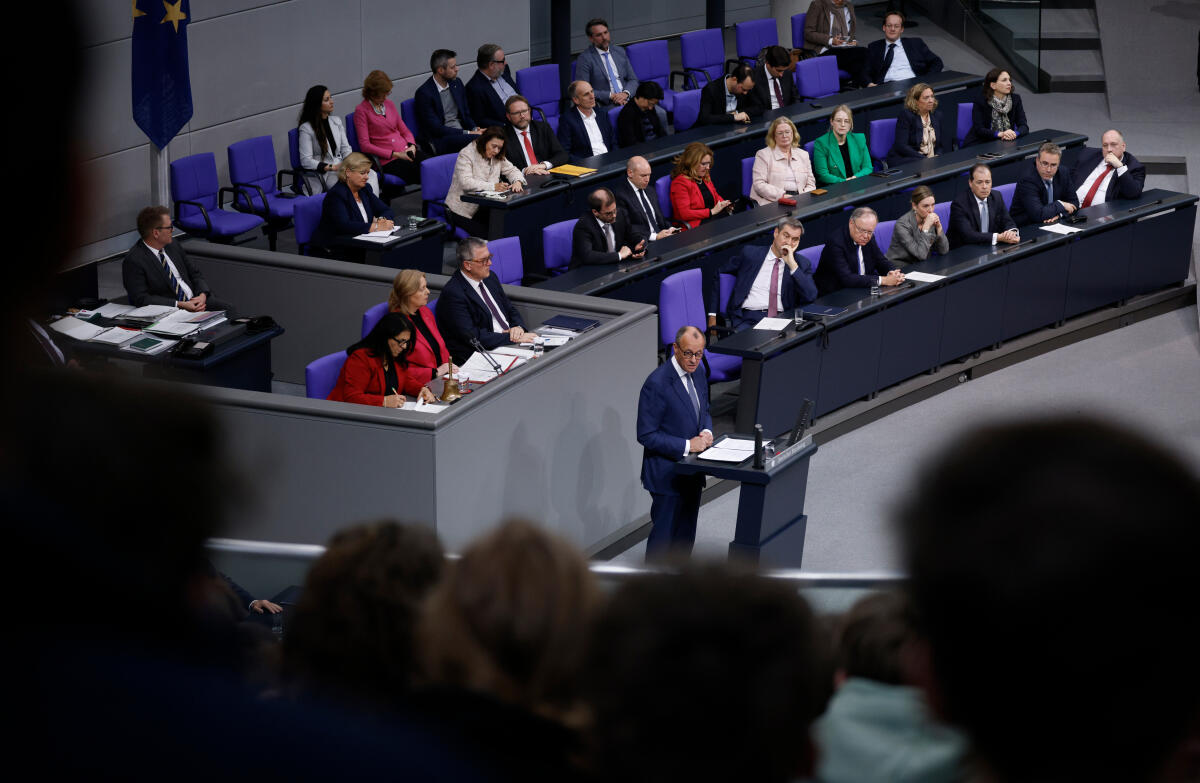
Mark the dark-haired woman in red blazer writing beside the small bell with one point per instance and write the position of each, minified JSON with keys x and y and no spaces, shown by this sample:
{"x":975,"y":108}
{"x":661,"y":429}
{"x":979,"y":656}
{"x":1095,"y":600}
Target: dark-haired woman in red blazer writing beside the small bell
{"x":376,"y":370}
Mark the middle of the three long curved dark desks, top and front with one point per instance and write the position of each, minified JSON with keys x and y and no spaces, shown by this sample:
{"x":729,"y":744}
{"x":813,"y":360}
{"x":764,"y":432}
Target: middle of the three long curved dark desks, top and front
{"x":821,"y":214}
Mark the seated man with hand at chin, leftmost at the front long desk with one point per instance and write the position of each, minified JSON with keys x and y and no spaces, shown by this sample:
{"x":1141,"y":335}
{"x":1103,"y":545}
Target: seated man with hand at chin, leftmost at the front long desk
{"x":770,"y":279}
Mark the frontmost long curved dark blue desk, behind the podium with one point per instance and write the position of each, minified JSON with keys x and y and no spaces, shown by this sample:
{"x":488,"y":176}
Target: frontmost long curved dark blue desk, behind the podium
{"x":988,"y":296}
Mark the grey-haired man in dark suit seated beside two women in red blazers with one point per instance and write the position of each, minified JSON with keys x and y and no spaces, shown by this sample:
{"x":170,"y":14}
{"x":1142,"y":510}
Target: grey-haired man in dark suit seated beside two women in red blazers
{"x":473,"y":307}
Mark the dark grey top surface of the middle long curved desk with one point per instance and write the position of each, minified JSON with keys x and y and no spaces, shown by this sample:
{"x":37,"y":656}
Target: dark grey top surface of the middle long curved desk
{"x":609,"y":280}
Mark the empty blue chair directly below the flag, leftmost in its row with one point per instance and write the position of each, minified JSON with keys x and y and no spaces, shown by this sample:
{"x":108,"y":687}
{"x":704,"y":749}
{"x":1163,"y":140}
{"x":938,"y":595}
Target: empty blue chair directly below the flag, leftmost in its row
{"x":197,"y":198}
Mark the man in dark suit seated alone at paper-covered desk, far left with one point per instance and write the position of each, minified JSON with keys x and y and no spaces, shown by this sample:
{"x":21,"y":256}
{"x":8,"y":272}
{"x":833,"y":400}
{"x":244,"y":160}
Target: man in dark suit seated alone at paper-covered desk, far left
{"x":158,"y":272}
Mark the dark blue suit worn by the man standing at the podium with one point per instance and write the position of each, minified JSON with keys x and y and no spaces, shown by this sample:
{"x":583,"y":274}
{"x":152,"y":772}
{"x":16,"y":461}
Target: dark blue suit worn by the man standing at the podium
{"x":667,"y":421}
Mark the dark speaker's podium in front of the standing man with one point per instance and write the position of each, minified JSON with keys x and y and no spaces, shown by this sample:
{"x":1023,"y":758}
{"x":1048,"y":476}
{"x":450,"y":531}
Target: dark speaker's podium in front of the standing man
{"x":771,"y":506}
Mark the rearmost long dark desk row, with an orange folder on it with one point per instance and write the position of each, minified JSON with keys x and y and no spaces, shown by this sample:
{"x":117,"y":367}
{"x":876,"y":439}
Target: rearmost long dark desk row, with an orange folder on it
{"x":551,"y":201}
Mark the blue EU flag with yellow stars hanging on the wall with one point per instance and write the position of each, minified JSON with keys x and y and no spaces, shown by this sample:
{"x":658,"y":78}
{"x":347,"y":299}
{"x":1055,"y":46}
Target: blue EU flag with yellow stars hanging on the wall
{"x":163,"y":89}
